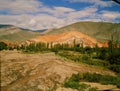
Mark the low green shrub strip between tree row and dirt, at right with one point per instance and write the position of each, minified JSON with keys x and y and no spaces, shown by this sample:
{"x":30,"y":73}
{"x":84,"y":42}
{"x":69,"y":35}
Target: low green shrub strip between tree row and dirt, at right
{"x":111,"y":61}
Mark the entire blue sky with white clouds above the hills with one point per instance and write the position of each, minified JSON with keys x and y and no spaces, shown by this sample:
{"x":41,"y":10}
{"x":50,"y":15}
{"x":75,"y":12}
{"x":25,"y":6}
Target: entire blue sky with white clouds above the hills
{"x":47,"y":14}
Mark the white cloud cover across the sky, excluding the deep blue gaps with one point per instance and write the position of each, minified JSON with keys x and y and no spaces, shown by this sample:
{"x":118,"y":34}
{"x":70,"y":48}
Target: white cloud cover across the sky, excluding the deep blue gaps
{"x":34,"y":15}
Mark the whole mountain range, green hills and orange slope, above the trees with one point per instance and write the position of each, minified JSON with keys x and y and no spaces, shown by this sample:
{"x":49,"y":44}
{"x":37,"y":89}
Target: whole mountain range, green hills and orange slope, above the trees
{"x":88,"y":33}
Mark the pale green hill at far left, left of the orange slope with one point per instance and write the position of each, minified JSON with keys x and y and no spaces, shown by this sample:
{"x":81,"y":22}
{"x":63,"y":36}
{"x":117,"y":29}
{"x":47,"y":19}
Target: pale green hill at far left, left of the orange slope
{"x":16,"y":34}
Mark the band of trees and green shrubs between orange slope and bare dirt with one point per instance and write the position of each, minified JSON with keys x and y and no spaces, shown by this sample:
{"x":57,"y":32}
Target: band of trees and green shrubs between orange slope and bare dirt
{"x":108,"y":57}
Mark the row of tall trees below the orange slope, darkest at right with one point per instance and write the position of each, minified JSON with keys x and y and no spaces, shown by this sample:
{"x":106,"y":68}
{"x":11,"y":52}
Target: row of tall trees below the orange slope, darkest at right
{"x":110,"y":53}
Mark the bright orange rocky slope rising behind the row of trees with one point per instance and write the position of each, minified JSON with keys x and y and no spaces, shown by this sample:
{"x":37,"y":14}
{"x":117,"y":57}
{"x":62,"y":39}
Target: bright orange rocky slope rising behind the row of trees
{"x":68,"y":37}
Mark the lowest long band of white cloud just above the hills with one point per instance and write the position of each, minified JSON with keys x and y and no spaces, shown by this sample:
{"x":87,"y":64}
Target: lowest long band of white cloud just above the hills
{"x":46,"y":21}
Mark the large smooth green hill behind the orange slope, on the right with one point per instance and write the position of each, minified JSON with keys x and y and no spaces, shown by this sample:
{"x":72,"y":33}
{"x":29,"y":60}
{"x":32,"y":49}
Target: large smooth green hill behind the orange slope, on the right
{"x":99,"y":30}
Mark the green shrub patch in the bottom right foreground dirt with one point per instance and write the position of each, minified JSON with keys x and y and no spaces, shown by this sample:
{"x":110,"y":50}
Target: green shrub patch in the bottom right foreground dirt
{"x":75,"y":79}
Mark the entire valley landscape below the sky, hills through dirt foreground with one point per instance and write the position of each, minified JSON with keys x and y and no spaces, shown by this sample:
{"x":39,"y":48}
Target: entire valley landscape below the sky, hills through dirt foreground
{"x":84,"y":56}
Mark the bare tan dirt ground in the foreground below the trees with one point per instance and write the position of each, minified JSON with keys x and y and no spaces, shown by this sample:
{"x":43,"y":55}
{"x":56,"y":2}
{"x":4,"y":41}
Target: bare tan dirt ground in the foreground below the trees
{"x":39,"y":71}
